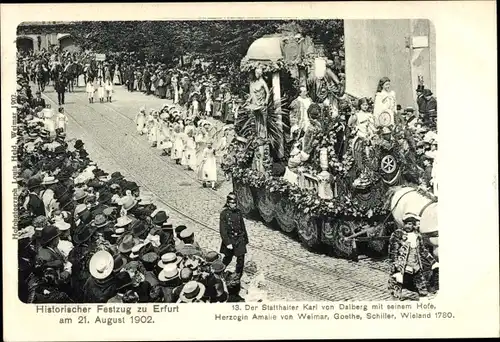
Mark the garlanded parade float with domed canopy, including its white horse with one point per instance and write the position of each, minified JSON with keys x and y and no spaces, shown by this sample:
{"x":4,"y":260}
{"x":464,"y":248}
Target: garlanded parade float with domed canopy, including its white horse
{"x":298,"y":165}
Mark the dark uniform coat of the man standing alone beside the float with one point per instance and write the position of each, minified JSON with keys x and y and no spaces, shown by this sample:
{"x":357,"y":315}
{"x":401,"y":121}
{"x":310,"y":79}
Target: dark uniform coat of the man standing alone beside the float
{"x":233,"y":231}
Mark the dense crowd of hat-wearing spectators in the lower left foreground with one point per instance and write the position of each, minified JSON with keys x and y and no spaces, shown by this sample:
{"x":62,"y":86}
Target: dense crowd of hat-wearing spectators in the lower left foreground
{"x":89,"y":237}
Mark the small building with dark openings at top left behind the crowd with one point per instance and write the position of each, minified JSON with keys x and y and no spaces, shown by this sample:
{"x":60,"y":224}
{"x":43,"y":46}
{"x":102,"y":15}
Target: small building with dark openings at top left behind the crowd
{"x":35,"y":36}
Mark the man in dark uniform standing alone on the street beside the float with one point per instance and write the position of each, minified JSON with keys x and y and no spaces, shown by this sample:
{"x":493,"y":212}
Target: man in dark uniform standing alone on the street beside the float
{"x":234,"y":235}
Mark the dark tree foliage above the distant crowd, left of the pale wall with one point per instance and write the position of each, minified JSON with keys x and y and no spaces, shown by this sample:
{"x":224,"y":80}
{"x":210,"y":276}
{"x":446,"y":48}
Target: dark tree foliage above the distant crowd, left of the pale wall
{"x":222,"y":41}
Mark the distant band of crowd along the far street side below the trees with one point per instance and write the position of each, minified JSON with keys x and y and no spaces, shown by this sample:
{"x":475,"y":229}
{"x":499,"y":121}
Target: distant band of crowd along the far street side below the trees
{"x":202,"y":91}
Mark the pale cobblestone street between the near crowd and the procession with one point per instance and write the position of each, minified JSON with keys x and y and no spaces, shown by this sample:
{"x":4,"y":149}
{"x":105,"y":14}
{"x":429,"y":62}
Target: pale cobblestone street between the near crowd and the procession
{"x":293,"y":273}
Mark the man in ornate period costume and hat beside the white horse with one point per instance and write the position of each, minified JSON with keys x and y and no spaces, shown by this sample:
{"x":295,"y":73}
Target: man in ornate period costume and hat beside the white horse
{"x":410,"y":258}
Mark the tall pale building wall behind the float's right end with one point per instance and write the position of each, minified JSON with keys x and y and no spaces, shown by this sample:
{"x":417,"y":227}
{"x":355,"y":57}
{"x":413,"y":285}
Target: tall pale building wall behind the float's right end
{"x":399,"y":49}
